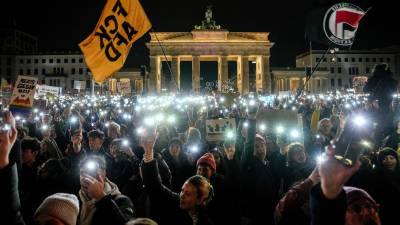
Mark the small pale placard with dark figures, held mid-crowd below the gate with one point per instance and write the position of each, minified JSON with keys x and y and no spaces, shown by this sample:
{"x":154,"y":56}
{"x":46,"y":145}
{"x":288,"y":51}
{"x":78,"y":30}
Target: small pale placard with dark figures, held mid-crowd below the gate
{"x":216,"y":129}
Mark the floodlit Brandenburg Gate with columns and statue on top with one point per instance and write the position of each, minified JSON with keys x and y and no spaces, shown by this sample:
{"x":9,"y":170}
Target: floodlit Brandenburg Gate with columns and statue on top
{"x":208,"y":42}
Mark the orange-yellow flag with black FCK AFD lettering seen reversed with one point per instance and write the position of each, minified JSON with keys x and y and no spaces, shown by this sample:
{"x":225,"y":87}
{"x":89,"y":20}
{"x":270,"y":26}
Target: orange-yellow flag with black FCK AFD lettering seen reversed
{"x":122,"y":22}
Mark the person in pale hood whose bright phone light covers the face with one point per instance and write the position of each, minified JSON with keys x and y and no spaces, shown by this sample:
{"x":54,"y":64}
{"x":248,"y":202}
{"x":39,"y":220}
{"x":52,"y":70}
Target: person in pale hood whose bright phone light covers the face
{"x":102,"y":202}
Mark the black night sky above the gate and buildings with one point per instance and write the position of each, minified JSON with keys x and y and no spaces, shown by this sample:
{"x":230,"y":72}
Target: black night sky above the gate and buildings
{"x":61,"y":25}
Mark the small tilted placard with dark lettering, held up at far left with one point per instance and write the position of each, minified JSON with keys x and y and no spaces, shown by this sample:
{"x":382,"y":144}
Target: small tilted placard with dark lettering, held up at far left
{"x":22,"y":97}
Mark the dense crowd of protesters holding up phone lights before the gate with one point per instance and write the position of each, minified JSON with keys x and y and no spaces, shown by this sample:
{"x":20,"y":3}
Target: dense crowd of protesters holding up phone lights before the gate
{"x":114,"y":160}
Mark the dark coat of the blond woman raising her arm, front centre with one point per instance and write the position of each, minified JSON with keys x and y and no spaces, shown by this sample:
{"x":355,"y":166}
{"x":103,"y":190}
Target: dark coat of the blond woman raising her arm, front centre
{"x":166,"y":201}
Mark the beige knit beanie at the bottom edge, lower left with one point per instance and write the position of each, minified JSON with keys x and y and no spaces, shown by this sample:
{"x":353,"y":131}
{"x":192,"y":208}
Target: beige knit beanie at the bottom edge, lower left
{"x":62,"y":206}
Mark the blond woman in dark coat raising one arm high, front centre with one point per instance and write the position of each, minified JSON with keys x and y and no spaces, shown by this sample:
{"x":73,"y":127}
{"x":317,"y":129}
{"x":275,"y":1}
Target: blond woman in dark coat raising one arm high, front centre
{"x":185,"y":208}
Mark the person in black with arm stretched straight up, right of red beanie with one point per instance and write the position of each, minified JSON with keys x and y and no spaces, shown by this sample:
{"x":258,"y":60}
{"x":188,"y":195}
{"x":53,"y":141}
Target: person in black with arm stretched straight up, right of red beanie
{"x":260,"y":177}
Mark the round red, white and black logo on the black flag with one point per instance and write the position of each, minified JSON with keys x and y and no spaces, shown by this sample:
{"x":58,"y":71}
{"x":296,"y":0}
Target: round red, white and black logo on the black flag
{"x":341,"y":22}
